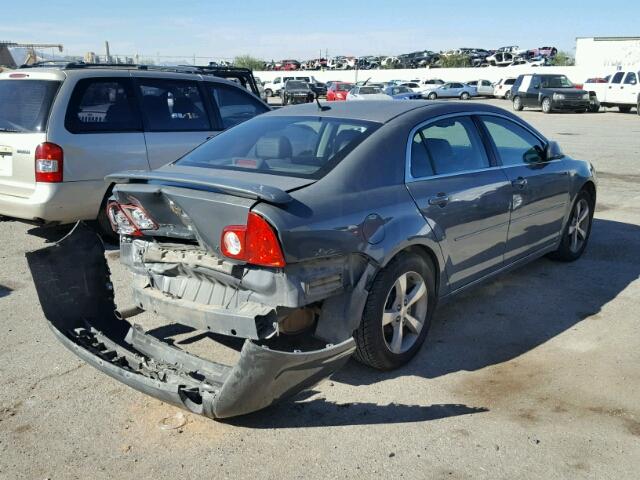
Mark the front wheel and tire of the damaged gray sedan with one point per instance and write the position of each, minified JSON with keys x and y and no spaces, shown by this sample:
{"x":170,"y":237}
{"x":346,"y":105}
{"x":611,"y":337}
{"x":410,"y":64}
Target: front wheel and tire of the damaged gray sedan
{"x":577,"y":231}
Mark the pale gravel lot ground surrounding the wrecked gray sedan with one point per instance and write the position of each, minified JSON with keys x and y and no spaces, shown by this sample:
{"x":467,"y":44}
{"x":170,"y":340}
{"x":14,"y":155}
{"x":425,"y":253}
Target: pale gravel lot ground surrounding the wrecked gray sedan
{"x":534,"y":375}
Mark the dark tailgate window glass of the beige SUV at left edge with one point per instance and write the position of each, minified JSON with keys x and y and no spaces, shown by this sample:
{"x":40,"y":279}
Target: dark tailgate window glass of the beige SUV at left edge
{"x":25,"y":104}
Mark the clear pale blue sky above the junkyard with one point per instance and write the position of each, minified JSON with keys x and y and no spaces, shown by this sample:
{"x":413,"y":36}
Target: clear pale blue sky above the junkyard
{"x":276,"y":29}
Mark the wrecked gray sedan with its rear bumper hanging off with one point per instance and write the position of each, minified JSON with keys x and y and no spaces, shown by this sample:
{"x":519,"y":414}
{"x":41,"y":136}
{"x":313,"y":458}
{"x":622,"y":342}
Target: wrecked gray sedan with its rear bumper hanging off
{"x":313,"y":233}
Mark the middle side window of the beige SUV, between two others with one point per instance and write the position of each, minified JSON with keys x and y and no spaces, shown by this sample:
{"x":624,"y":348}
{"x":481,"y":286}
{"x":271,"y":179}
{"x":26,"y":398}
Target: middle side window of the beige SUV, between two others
{"x":172,"y":106}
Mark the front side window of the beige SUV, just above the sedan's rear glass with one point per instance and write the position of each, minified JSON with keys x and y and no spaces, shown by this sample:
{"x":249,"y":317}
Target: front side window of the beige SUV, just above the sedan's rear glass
{"x":235,"y":105}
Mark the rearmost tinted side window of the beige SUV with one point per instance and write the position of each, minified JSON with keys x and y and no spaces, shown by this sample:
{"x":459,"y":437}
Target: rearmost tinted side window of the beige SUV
{"x":103,"y":105}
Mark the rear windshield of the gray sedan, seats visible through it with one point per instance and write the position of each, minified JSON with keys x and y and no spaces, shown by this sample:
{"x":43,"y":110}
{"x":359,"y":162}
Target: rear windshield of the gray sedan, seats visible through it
{"x":304,"y":147}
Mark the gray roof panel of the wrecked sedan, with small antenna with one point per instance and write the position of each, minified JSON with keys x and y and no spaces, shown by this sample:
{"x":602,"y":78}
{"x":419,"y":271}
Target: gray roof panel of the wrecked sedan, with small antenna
{"x":380,"y":111}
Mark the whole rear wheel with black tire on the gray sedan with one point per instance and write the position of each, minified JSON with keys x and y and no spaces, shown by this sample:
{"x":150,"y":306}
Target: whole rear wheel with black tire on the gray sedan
{"x":397,"y":314}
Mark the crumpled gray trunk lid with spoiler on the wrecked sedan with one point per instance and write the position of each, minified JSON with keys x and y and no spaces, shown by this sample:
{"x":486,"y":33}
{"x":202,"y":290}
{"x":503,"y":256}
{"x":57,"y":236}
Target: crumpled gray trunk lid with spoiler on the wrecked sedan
{"x":195,"y":204}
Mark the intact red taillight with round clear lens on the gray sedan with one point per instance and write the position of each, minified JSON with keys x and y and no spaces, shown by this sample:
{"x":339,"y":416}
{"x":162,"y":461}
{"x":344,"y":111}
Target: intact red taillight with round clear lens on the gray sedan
{"x":255,"y":243}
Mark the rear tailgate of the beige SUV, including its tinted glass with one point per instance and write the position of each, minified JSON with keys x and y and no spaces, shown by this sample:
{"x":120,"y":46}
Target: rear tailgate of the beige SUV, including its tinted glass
{"x":25,"y":103}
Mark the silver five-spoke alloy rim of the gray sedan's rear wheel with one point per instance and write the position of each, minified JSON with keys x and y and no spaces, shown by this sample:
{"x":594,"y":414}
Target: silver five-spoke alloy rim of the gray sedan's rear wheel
{"x":404,"y":313}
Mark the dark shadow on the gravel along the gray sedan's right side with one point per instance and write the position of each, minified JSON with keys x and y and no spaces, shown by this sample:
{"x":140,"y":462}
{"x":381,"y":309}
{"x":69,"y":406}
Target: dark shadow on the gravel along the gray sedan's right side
{"x":520,"y":310}
